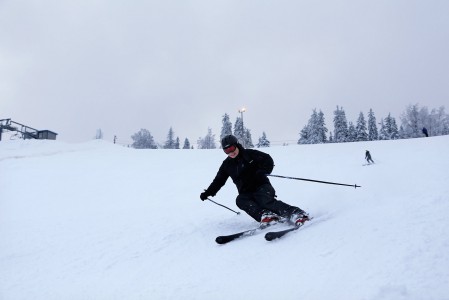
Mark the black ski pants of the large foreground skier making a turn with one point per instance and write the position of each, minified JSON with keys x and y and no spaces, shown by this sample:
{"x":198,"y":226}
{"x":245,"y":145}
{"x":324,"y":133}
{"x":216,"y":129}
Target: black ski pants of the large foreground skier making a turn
{"x":263,"y":199}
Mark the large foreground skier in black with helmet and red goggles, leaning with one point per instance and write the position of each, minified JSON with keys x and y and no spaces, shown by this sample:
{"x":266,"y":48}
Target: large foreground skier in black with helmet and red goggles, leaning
{"x":248,"y":169}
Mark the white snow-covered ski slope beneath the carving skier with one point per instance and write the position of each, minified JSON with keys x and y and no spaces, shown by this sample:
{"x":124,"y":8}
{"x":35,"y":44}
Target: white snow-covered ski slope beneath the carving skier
{"x":99,"y":221}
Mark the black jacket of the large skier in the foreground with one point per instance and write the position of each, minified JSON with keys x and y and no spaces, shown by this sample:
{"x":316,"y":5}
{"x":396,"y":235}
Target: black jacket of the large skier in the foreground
{"x":248,"y":171}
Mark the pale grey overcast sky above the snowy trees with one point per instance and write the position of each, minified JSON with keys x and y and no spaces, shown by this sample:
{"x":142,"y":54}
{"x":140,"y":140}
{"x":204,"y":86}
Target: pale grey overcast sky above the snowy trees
{"x":75,"y":66}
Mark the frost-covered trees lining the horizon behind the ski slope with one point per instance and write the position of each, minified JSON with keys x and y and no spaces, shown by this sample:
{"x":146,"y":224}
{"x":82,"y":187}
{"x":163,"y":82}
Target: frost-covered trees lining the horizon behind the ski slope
{"x":412,"y":123}
